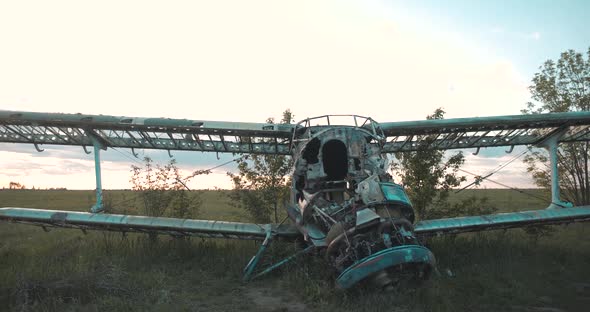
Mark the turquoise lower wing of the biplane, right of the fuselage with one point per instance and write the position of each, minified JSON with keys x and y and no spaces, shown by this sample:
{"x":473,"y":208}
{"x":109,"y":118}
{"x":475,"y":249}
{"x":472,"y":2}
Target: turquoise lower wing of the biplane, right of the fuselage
{"x":502,"y":221}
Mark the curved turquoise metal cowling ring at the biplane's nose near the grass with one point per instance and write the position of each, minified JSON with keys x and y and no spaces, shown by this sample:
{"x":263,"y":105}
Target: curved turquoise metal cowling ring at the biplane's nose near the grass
{"x":387,"y":258}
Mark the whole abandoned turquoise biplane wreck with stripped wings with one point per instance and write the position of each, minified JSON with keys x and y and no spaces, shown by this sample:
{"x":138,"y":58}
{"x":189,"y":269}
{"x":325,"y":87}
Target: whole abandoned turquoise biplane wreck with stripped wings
{"x":343,"y":203}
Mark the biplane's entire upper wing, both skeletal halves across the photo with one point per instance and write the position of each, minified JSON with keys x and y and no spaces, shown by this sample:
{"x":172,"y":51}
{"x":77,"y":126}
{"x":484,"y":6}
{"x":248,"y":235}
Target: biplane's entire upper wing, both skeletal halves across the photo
{"x":240,"y":137}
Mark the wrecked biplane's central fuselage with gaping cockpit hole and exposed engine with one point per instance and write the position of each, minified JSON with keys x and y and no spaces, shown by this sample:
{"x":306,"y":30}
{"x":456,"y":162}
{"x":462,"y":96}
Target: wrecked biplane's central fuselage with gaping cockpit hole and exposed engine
{"x":343,"y":199}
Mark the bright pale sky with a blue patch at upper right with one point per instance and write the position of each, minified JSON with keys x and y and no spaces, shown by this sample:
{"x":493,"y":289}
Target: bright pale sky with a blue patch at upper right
{"x":249,"y":60}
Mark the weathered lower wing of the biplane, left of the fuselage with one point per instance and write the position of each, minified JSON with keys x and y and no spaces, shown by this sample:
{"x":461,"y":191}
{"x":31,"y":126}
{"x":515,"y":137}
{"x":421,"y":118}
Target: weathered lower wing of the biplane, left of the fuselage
{"x":144,"y":224}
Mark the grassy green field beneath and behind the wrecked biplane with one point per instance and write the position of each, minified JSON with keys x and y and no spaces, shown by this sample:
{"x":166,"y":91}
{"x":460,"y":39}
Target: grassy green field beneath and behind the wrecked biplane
{"x":68,"y":270}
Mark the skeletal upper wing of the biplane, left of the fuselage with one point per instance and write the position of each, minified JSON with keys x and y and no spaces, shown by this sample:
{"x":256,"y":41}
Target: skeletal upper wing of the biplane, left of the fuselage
{"x":150,"y":133}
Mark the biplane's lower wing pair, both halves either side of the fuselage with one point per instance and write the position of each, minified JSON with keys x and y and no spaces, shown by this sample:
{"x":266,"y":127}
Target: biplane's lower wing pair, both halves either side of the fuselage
{"x":237,"y":230}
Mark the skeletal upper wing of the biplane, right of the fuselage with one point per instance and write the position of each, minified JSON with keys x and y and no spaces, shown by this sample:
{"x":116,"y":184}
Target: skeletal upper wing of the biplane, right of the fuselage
{"x":484,"y":131}
